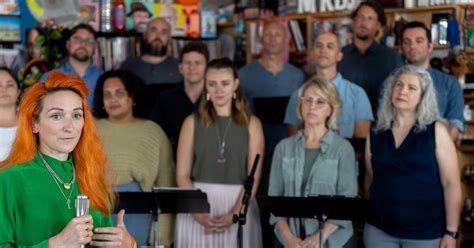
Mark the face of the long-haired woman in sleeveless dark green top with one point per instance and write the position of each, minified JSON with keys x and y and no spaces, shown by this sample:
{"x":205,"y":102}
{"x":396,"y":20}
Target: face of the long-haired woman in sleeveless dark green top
{"x":221,"y":85}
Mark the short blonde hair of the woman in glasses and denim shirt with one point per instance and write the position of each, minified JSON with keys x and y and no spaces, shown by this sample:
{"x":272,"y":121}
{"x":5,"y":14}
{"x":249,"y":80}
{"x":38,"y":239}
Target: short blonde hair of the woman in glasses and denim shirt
{"x":329,"y":94}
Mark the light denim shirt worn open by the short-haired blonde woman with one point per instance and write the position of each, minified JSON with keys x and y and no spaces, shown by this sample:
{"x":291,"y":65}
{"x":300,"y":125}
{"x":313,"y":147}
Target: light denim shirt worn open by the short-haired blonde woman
{"x":333,"y":173}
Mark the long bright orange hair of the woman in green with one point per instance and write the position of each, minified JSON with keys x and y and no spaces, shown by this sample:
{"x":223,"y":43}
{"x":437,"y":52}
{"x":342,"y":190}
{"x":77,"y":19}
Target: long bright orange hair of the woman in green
{"x":89,"y":157}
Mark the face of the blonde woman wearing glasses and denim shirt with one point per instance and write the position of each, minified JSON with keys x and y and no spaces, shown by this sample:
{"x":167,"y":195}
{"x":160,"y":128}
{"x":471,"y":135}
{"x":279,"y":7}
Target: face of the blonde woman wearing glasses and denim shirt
{"x":315,"y":110}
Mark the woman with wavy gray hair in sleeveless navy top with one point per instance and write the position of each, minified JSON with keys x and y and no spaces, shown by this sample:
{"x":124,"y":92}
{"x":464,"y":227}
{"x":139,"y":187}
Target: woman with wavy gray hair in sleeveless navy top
{"x":412,"y":177}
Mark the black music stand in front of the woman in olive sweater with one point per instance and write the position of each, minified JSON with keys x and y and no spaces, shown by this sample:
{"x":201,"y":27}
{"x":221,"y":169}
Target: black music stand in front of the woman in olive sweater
{"x":164,"y":200}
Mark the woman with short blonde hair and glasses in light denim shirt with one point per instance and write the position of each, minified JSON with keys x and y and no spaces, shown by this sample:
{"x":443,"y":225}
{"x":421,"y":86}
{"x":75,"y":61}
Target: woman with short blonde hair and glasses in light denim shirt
{"x":315,"y":161}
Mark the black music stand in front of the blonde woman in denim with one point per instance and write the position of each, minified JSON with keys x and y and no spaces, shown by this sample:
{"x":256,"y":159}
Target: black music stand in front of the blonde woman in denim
{"x":318,"y":207}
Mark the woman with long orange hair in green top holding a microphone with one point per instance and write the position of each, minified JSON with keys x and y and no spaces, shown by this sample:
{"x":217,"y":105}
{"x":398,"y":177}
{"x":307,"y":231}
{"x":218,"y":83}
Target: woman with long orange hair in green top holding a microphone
{"x":55,"y":157}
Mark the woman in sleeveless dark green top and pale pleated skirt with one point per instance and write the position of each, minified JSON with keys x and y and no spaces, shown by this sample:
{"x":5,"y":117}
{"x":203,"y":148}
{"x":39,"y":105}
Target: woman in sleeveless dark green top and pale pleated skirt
{"x":216,"y":150}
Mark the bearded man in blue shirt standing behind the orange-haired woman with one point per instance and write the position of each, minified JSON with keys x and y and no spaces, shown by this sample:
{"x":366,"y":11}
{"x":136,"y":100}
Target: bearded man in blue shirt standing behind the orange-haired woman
{"x":80,"y":48}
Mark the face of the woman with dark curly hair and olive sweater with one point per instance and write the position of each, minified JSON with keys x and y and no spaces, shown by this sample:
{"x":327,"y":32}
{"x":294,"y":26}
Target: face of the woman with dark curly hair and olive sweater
{"x":117,"y":103}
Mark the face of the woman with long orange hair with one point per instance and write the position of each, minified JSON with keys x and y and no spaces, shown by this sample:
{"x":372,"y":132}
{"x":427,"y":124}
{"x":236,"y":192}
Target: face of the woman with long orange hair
{"x":59,"y":124}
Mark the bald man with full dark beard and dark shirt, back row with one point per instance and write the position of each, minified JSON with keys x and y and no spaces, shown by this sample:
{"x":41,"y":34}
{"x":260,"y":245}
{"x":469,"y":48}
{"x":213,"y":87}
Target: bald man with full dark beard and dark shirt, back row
{"x":155,"y":66}
